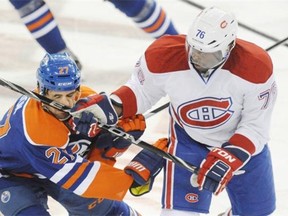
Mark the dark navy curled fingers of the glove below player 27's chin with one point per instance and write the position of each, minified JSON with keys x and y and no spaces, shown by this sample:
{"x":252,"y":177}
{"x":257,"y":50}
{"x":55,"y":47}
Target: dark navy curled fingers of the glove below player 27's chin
{"x":84,"y":124}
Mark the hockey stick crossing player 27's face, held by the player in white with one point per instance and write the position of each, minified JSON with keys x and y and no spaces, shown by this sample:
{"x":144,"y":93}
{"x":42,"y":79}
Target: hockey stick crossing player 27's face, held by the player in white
{"x":111,"y":129}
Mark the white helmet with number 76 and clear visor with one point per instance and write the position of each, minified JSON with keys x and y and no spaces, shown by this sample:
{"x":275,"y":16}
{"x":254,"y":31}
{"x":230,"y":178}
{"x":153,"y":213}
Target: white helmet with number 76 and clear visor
{"x":211,"y":37}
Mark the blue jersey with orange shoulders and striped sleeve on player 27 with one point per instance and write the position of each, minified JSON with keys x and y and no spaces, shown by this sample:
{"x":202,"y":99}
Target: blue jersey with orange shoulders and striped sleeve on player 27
{"x":33,"y":143}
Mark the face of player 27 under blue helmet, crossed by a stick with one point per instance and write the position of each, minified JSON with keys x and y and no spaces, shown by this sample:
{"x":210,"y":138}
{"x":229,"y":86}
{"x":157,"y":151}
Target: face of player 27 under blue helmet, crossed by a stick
{"x":67,"y":98}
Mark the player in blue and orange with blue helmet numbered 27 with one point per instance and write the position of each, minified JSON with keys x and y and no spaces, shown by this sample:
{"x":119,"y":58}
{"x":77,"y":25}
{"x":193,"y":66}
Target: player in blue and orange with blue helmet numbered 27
{"x":41,"y":155}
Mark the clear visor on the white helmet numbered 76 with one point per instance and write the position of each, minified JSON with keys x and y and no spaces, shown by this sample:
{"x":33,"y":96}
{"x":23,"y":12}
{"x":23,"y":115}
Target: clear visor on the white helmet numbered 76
{"x":206,"y":60}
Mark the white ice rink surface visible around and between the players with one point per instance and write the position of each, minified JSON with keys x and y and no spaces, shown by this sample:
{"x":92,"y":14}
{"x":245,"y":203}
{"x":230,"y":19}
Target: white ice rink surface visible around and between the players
{"x":109,"y":44}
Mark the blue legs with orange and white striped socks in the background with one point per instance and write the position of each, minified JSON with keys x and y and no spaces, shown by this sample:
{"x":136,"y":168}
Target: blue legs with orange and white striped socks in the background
{"x":39,"y":20}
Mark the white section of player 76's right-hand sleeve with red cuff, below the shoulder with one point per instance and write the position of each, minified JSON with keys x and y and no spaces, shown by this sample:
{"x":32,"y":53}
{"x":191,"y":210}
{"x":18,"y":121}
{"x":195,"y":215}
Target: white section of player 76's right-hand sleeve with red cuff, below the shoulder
{"x":252,"y":132}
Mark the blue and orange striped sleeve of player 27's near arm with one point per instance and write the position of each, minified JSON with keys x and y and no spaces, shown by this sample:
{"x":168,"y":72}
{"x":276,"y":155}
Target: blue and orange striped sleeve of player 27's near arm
{"x":72,"y":172}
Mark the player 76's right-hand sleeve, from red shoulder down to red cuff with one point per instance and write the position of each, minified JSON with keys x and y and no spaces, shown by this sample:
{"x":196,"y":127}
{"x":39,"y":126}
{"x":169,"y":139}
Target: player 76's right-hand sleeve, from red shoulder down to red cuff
{"x":254,"y":67}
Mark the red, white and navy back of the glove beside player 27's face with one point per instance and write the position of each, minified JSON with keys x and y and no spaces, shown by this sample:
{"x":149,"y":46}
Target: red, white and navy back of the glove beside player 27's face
{"x":99,"y":105}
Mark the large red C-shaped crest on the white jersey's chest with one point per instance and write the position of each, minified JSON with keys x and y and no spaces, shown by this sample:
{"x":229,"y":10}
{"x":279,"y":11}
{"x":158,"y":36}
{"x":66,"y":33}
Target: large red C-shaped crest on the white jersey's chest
{"x":206,"y":113}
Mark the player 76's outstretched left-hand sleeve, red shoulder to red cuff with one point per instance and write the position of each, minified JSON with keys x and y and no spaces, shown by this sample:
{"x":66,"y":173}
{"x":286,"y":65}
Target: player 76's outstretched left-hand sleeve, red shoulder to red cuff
{"x":150,"y":79}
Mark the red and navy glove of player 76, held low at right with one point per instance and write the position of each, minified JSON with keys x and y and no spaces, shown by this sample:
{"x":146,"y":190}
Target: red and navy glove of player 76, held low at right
{"x":219,"y":167}
